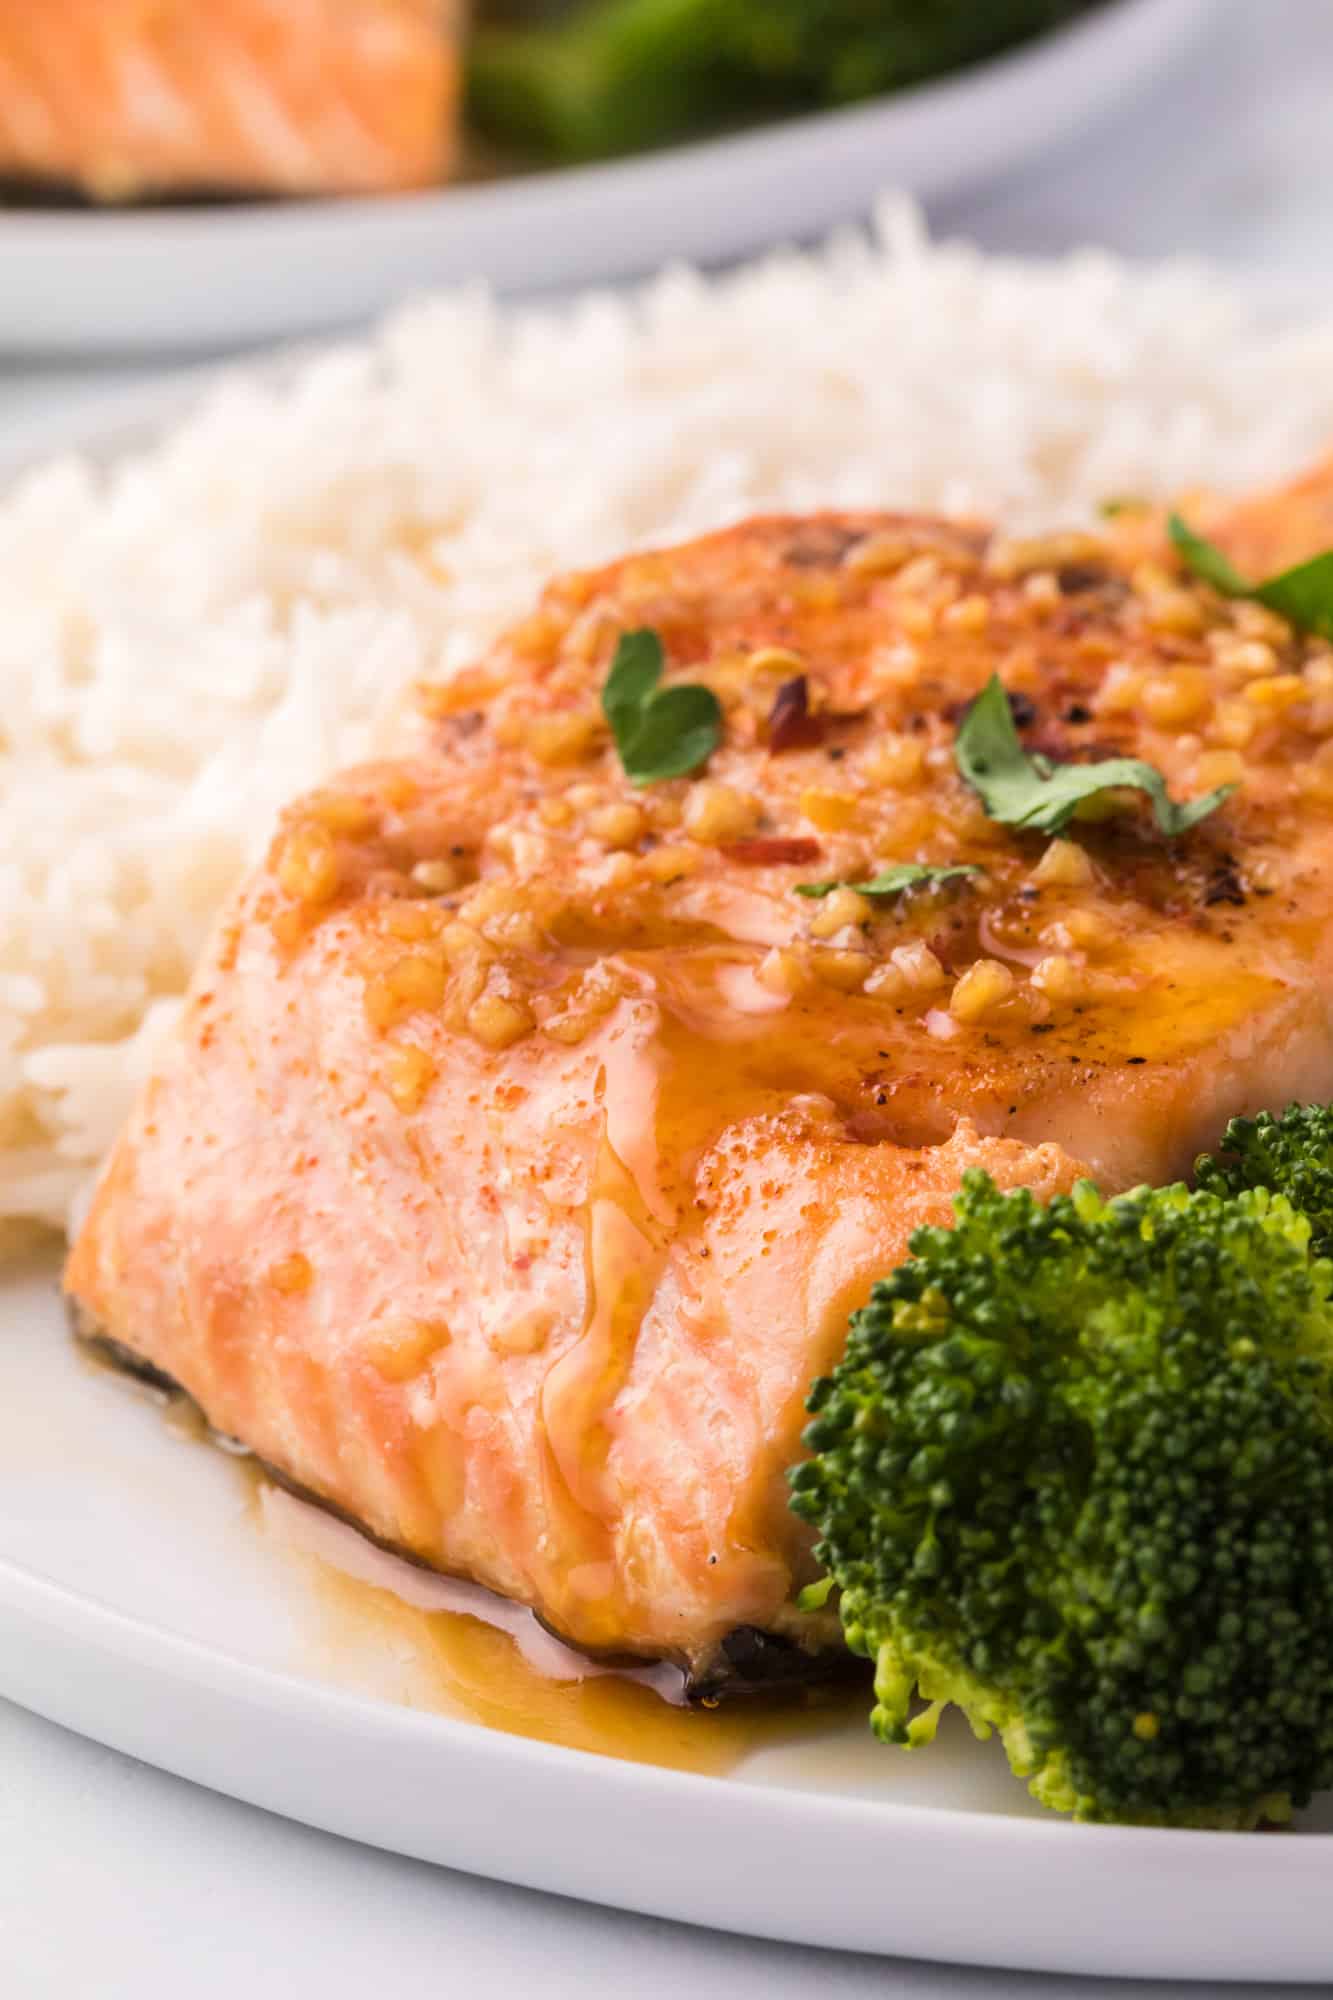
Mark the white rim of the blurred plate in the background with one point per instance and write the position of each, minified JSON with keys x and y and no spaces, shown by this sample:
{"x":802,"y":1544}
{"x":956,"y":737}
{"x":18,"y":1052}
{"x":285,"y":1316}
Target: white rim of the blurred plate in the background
{"x":75,"y":283}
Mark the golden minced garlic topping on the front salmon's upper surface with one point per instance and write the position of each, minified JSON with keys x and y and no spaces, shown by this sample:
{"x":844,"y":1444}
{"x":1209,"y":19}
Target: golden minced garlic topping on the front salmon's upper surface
{"x":517,"y":885}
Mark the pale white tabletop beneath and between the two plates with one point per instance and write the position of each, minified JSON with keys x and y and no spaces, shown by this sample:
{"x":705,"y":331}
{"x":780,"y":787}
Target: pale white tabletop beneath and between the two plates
{"x":119,"y":1883}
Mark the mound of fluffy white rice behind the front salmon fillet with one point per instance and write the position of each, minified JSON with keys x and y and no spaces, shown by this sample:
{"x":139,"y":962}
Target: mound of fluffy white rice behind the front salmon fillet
{"x":209,"y":627}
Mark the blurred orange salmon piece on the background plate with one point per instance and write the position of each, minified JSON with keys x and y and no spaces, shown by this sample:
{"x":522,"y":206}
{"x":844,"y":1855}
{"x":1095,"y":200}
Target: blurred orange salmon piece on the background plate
{"x":291,"y":97}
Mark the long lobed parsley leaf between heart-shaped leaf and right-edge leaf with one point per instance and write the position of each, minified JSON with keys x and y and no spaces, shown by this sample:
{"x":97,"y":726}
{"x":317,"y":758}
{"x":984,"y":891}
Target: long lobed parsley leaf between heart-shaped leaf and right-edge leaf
{"x":1042,"y":797}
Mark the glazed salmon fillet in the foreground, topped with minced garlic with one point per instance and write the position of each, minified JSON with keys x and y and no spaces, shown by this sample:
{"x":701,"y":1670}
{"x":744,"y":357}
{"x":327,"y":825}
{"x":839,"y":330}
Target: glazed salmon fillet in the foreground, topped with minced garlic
{"x":529,"y":1139}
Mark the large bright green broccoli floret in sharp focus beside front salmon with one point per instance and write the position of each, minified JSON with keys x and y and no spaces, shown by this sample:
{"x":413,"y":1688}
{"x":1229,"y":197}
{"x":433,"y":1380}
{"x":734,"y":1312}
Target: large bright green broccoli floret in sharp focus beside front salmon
{"x":1076,"y":1475}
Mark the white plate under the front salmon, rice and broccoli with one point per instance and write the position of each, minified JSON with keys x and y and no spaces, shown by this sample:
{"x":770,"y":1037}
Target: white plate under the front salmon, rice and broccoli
{"x":145,"y":1605}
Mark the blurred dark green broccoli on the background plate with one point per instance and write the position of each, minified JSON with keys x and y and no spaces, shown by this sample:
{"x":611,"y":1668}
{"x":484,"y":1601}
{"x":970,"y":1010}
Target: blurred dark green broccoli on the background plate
{"x":621,"y":75}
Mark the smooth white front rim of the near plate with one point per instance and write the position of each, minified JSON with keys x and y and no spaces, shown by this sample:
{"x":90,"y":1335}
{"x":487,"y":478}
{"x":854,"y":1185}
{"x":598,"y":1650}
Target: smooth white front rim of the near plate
{"x":878,"y":1877}
